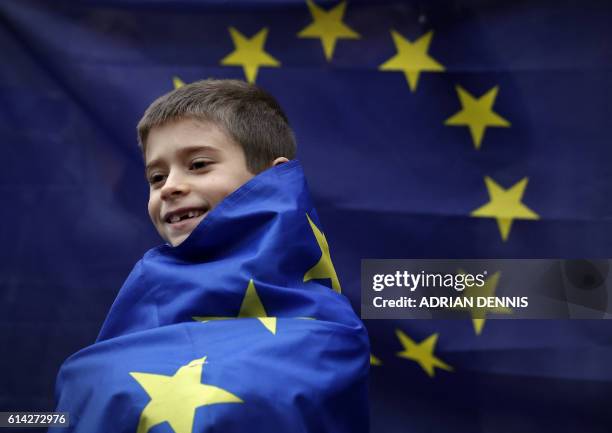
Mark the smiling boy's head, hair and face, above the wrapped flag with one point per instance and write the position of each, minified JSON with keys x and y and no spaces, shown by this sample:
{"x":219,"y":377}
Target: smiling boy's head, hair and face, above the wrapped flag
{"x":195,"y":121}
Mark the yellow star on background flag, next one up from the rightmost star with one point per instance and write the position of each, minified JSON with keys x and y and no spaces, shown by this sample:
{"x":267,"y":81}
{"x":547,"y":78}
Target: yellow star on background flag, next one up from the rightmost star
{"x":477,"y":114}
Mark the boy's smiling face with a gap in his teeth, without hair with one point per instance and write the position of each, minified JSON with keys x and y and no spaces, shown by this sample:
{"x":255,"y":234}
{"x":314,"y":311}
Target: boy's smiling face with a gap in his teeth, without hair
{"x":191,"y":166}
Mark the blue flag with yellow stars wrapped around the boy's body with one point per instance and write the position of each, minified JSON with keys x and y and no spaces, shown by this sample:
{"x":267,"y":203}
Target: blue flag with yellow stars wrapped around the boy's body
{"x":228,"y":331}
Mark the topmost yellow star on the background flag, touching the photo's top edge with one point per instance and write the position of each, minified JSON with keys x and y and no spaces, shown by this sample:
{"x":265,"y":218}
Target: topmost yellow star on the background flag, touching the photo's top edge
{"x":328,"y":26}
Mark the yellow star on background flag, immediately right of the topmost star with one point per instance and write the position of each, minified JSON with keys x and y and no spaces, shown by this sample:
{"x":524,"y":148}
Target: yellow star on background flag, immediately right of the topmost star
{"x":412,"y":58}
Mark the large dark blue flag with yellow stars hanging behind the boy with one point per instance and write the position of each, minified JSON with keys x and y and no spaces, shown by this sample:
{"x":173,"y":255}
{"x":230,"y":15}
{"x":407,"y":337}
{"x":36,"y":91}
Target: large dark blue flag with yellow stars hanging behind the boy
{"x":438,"y":129}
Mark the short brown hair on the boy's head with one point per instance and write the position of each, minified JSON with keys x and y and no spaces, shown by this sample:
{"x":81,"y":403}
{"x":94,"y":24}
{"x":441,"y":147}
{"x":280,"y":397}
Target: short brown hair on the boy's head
{"x":251,"y":116}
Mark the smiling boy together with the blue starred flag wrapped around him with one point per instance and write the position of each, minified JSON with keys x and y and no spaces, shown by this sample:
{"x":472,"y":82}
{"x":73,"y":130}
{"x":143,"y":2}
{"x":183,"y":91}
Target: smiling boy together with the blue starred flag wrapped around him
{"x":235,"y":322}
